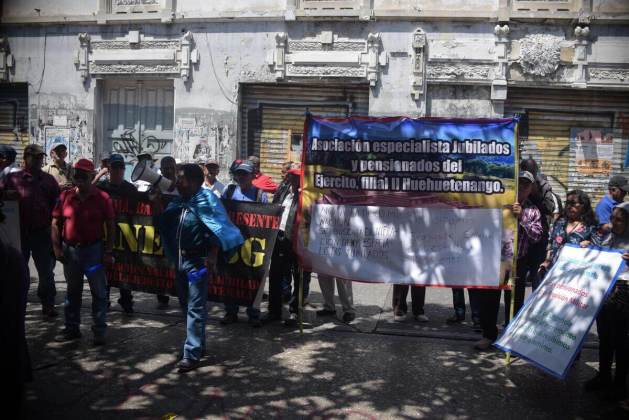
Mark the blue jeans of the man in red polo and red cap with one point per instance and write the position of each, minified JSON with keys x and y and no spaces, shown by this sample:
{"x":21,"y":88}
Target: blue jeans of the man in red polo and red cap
{"x":79,"y":262}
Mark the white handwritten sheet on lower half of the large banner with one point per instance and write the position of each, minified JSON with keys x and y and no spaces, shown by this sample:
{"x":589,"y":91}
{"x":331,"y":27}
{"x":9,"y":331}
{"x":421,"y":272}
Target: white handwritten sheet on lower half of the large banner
{"x":401,"y":244}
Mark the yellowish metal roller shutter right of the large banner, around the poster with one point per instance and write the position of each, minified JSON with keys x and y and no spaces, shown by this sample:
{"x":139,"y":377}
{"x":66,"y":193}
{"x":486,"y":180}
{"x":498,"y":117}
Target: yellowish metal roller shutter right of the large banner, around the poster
{"x":549,"y":116}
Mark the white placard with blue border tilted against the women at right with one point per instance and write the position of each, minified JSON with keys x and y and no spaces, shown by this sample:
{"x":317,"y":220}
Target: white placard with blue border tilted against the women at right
{"x":549,"y":330}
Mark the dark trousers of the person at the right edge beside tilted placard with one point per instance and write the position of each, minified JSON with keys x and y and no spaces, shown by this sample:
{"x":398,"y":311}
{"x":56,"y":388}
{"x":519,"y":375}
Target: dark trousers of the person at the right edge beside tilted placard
{"x":613,"y":327}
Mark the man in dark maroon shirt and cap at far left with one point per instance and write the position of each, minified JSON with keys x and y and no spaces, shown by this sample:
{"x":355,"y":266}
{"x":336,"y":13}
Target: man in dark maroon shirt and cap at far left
{"x":37,"y":192}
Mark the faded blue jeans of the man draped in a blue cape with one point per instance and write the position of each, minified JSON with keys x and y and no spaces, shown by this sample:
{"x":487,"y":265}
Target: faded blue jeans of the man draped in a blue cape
{"x":193,"y":301}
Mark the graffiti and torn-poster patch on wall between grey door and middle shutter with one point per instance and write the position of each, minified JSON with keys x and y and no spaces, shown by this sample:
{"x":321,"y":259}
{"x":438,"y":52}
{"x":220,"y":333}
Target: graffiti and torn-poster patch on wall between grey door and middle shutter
{"x":202,"y":135}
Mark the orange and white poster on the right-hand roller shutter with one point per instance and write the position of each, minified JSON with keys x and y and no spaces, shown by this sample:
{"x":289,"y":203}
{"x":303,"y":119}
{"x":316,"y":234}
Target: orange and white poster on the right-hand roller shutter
{"x":593,"y":150}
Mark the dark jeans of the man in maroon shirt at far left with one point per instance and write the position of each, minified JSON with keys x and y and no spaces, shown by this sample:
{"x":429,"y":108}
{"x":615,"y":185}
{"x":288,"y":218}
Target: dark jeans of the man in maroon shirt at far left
{"x":39,"y":245}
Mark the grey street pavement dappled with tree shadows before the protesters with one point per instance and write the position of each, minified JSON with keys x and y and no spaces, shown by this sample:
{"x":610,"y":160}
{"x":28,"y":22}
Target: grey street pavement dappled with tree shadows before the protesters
{"x":372,"y":368}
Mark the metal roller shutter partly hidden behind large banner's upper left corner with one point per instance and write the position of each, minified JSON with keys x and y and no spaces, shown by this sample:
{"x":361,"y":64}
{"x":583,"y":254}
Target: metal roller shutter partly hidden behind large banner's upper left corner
{"x":273,"y":116}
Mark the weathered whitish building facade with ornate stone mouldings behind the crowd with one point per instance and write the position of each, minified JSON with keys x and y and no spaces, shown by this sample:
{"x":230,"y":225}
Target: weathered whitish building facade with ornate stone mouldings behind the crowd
{"x":224,"y":79}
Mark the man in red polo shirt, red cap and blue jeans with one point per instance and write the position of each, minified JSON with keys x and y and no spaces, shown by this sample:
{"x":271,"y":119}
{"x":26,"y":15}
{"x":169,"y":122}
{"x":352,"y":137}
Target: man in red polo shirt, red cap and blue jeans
{"x":77,"y":240}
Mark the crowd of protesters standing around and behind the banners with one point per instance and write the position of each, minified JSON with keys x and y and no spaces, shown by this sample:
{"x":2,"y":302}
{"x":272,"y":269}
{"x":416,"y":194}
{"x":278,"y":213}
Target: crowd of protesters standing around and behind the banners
{"x":63,"y":208}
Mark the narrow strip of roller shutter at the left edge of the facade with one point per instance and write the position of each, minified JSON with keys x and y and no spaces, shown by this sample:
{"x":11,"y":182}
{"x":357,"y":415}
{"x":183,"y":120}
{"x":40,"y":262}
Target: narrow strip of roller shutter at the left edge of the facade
{"x":14,"y":116}
